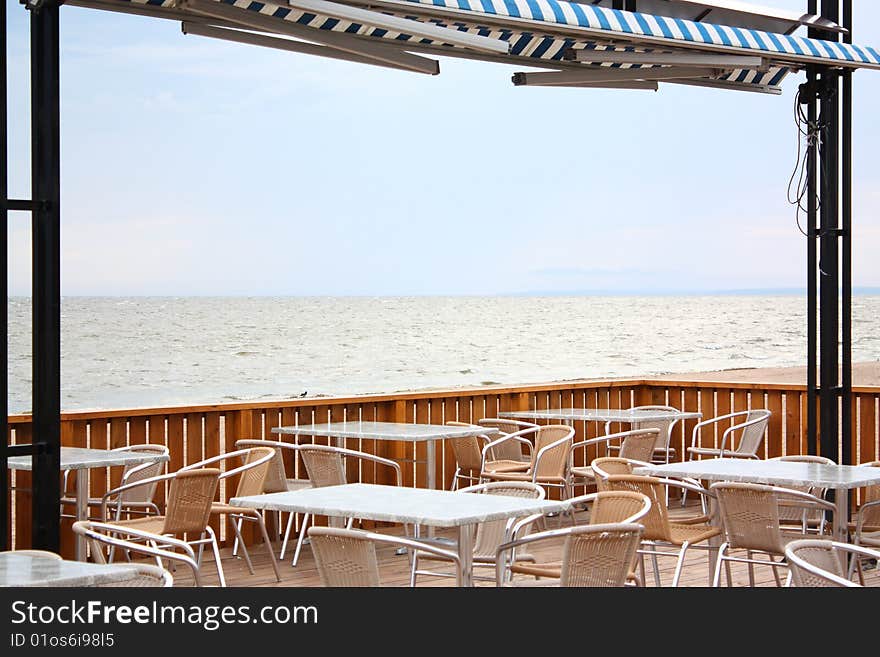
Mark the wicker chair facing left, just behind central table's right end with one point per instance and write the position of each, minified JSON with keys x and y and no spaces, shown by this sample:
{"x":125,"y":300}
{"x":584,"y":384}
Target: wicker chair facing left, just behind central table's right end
{"x":550,"y":464}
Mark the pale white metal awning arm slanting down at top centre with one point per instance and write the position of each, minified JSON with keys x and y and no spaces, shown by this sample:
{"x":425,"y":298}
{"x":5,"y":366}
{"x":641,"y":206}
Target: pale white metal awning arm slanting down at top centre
{"x":403,"y":25}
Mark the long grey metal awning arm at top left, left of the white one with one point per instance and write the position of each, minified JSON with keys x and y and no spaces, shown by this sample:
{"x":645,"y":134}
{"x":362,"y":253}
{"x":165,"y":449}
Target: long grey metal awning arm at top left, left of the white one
{"x":380,"y":52}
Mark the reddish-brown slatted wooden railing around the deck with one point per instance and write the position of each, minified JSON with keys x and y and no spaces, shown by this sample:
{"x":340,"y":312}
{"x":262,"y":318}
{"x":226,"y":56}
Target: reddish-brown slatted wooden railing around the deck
{"x":192,"y":433}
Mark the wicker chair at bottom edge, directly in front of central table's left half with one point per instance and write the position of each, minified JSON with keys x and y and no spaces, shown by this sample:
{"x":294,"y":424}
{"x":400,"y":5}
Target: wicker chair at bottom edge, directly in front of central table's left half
{"x":347,"y":557}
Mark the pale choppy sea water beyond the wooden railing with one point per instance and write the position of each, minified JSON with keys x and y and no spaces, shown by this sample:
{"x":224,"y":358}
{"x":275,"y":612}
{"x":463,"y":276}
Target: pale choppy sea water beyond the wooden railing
{"x":125,"y":352}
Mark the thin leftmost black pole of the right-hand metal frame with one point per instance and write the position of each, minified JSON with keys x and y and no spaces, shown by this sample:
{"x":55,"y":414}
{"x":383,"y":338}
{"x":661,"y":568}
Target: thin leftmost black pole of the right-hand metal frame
{"x":812,"y":264}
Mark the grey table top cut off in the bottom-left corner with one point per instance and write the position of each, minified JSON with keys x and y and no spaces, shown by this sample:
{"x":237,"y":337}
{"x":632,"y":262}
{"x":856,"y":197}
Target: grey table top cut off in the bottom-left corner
{"x":28,"y":570}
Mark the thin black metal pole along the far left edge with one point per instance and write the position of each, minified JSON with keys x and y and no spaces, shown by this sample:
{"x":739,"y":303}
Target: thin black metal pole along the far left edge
{"x":4,"y":385}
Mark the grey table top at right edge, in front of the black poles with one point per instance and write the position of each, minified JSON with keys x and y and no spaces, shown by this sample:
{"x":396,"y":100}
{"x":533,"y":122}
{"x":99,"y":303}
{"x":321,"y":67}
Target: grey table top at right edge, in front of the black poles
{"x":775,"y":472}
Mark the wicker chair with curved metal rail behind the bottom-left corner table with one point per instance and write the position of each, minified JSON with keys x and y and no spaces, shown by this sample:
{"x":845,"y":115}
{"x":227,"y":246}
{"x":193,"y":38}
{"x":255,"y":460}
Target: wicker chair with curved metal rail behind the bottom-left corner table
{"x":132,"y":541}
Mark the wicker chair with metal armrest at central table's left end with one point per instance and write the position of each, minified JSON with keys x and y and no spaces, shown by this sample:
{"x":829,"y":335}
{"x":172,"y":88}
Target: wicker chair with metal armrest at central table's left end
{"x":255,"y":465}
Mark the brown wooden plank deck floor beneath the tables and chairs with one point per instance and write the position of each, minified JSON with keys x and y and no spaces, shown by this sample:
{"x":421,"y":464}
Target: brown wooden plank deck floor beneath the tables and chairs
{"x":394,"y":569}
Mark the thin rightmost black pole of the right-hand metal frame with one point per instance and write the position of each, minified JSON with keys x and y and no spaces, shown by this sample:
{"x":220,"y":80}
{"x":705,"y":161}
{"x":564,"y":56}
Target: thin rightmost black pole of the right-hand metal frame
{"x":846,"y":249}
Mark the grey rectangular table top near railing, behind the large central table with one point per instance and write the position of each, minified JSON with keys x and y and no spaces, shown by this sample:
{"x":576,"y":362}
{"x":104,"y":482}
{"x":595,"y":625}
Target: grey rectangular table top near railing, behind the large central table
{"x":386,"y":430}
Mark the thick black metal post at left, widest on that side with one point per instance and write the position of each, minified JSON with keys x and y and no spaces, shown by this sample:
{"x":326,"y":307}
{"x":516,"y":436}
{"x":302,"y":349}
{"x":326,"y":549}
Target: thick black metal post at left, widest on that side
{"x":46,"y":191}
